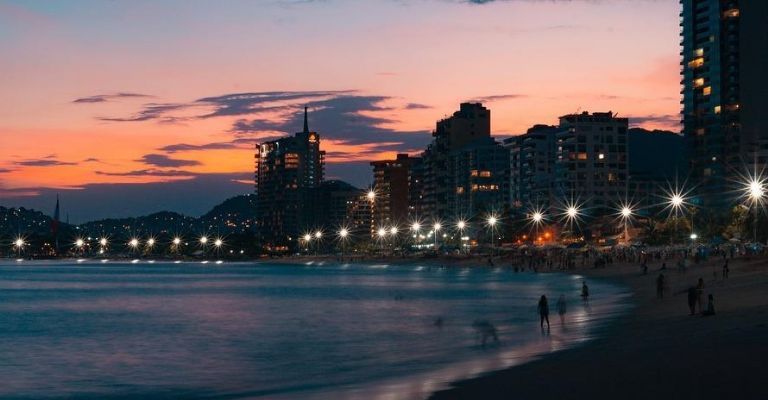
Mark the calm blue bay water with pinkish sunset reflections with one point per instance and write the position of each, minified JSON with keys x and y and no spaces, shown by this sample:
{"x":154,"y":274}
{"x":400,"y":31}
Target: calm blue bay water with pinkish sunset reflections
{"x":103,"y":330}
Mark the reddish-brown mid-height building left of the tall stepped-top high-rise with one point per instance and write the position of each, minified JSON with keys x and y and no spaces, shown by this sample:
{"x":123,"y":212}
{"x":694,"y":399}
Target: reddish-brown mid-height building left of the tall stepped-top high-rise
{"x":391,"y":183}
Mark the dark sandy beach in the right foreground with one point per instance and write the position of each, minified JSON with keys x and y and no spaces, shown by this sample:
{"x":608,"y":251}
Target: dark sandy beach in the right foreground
{"x":657,"y":351}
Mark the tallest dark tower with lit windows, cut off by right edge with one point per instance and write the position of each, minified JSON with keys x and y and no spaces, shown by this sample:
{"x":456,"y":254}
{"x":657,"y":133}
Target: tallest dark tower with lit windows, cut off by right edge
{"x":724,"y":60}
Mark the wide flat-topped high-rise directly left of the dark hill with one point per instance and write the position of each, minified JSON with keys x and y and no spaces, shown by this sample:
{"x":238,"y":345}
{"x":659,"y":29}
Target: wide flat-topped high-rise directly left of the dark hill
{"x":591,"y":164}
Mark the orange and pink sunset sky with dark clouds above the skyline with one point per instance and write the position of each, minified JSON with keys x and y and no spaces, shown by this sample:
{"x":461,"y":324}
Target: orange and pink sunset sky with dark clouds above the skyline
{"x":129,"y":107}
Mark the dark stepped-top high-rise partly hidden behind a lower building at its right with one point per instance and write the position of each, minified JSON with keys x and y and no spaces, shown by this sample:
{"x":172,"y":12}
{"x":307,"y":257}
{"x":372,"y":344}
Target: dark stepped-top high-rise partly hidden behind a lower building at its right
{"x":471,"y":122}
